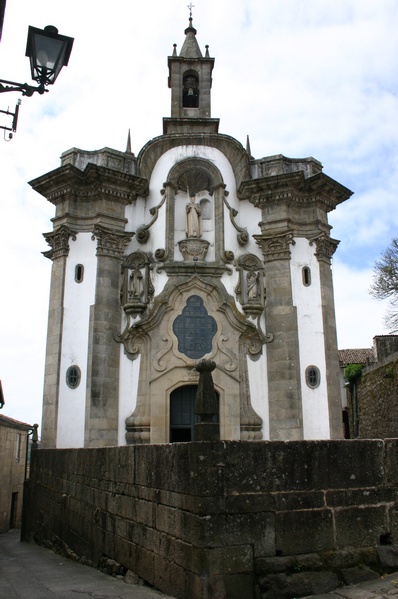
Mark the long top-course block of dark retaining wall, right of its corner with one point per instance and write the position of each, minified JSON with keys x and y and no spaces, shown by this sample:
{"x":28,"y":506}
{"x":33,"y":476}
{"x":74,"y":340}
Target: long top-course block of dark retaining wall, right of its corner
{"x":291,"y":465}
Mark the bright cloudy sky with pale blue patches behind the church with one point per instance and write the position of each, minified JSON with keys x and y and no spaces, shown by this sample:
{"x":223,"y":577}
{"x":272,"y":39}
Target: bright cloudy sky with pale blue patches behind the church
{"x":300,"y":77}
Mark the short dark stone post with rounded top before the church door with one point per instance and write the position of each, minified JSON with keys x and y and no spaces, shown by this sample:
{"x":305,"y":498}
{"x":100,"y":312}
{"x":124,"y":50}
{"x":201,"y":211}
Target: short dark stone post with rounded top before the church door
{"x":206,"y":404}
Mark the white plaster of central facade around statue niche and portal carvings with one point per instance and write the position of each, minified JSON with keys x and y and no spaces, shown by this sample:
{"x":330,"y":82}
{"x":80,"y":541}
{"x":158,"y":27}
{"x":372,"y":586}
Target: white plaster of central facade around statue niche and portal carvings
{"x":138,"y":214}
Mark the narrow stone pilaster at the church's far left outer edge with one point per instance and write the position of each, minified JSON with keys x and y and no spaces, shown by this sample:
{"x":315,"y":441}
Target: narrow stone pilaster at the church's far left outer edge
{"x":59,"y":242}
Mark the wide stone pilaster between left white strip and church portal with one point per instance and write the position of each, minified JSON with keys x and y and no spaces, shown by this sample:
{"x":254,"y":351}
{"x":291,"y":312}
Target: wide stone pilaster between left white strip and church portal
{"x":104,"y":352}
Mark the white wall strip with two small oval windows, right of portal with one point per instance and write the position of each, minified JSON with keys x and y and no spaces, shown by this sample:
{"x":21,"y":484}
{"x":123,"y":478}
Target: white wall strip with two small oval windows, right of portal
{"x":308,"y":302}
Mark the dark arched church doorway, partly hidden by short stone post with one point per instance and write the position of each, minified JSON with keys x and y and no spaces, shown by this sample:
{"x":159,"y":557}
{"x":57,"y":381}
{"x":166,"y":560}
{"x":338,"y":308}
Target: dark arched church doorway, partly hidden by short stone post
{"x":182,"y":414}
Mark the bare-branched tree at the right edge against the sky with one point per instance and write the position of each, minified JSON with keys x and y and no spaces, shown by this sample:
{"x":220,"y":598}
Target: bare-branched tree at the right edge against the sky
{"x":385,"y":283}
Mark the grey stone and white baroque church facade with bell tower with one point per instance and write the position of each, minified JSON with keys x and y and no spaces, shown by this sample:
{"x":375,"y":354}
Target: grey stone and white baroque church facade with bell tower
{"x":192,"y":249}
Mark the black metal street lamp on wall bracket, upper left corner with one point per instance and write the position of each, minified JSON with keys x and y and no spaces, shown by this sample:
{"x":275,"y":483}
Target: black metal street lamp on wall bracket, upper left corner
{"x":48,"y":53}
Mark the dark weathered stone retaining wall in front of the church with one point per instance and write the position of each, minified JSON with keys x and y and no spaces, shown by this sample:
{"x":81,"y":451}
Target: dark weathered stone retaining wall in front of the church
{"x":222,"y":519}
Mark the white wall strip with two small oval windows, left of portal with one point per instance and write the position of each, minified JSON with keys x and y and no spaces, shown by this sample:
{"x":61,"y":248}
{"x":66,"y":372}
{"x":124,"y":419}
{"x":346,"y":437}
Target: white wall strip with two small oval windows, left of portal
{"x":77,"y":301}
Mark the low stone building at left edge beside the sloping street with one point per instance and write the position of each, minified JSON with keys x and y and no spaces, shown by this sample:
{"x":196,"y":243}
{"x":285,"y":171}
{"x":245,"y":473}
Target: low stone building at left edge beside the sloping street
{"x":14,"y":437}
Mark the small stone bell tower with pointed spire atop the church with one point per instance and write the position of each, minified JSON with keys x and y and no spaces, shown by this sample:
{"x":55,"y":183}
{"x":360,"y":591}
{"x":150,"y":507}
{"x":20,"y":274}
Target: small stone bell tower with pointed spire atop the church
{"x":190,"y":82}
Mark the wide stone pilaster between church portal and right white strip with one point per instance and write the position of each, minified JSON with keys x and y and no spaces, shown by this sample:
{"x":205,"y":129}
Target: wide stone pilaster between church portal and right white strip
{"x":283,"y":361}
